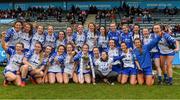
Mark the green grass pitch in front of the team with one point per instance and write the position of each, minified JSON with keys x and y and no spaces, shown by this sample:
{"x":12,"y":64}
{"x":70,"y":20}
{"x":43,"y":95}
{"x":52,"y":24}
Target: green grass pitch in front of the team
{"x":89,"y":91}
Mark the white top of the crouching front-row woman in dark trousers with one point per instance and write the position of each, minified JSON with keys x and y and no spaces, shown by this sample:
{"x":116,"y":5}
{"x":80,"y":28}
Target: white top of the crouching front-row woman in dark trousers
{"x":104,"y":66}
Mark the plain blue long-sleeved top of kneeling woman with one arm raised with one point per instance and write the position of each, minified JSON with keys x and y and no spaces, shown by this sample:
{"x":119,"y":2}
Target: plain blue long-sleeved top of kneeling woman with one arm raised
{"x":144,"y":57}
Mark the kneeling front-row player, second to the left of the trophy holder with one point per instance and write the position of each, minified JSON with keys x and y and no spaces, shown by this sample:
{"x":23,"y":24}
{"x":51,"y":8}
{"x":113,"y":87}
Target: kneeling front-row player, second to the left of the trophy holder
{"x":55,"y":66}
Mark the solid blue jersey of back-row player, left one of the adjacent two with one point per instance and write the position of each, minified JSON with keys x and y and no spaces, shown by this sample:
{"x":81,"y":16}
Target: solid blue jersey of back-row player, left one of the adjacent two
{"x":115,"y":36}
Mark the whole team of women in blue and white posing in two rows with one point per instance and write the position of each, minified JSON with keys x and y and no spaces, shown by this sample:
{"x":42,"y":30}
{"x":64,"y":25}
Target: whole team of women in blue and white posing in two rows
{"x":87,"y":56}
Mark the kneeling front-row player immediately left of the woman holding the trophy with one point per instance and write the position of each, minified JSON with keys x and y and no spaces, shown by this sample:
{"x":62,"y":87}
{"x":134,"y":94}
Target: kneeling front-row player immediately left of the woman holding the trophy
{"x":69,"y":67}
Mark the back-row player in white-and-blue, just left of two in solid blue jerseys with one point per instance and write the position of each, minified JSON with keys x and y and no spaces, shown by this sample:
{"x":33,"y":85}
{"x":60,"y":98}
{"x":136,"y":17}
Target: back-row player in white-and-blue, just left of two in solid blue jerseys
{"x":102,"y":41}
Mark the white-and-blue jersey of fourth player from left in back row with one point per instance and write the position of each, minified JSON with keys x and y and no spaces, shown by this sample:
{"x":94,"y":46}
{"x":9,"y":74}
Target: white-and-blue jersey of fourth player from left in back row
{"x":50,"y":40}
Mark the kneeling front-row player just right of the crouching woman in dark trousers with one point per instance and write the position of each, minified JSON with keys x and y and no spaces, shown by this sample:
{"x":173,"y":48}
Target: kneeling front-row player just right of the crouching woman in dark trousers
{"x":114,"y":51}
